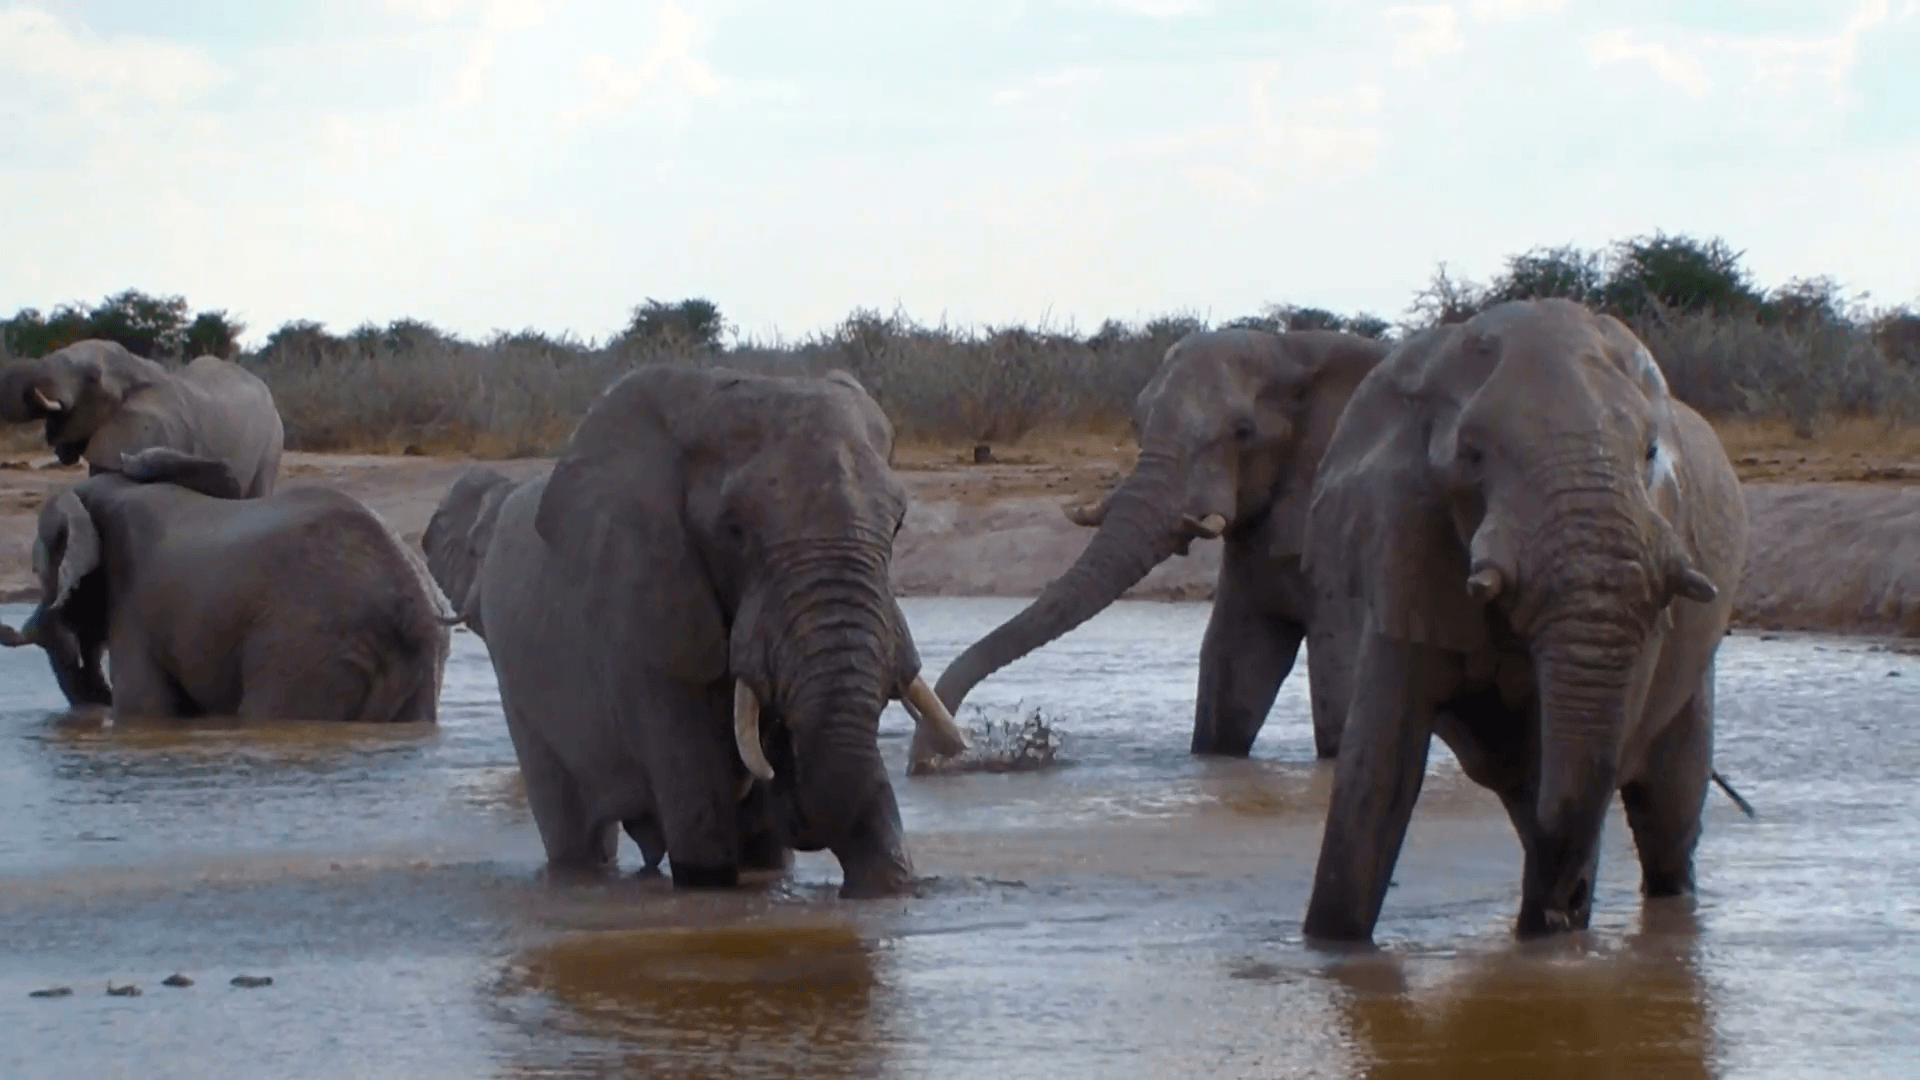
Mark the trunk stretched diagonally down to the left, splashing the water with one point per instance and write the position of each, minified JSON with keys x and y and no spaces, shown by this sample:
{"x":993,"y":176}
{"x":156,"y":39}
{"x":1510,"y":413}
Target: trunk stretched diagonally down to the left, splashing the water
{"x":1140,"y":529}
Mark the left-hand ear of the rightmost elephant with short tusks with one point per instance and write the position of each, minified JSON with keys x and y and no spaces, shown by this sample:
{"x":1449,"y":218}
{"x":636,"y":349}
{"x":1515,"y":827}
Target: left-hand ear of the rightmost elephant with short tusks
{"x":1380,"y":528}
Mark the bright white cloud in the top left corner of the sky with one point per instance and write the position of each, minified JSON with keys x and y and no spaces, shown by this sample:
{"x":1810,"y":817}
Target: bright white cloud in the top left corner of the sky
{"x":37,"y":47}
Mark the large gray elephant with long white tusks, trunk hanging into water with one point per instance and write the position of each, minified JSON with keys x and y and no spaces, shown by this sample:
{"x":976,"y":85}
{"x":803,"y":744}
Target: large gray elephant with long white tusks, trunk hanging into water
{"x":694,"y":627}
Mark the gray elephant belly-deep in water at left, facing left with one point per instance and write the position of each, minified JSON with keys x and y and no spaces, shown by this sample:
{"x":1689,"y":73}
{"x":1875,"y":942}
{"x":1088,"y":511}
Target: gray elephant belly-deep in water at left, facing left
{"x":299,"y":606}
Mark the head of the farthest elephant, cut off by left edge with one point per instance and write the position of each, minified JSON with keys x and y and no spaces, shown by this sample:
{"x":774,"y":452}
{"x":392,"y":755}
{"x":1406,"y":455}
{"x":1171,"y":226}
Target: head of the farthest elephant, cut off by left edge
{"x":76,"y":391}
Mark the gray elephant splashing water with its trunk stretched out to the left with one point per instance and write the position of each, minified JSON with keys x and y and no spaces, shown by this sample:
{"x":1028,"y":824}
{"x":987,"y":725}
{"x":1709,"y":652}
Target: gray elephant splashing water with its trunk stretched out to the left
{"x":1232,"y":431}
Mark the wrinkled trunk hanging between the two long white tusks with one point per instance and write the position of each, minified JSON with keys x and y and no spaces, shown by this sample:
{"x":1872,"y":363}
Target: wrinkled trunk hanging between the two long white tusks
{"x":830,"y":674}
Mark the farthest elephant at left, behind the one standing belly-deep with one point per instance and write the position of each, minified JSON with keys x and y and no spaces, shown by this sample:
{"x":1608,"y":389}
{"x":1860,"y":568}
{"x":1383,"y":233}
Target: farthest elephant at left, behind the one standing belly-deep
{"x":103,"y":403}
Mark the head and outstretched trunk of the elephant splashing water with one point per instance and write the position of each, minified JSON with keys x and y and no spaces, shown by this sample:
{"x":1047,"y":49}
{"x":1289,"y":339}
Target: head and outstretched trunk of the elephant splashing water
{"x":1232,"y":430}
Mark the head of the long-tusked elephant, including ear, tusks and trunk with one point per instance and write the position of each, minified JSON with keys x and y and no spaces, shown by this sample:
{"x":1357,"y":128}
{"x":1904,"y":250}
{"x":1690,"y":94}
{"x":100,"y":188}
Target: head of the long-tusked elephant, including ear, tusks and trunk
{"x":742,"y":529}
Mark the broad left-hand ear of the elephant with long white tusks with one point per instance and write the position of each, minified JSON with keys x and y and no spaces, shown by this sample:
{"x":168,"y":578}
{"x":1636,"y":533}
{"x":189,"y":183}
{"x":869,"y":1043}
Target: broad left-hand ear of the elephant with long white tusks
{"x":615,"y":514}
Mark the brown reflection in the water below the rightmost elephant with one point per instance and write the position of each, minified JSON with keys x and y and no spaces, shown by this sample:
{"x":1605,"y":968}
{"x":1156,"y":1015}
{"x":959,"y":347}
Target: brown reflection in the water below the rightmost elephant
{"x":1547,"y":1010}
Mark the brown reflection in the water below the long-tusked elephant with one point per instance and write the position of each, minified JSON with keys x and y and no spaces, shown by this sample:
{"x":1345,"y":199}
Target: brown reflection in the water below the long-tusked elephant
{"x":788,"y":996}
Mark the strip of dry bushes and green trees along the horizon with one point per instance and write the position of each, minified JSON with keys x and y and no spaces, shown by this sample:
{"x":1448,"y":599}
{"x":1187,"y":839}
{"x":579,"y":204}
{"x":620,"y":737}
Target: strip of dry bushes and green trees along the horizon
{"x":1800,"y":355}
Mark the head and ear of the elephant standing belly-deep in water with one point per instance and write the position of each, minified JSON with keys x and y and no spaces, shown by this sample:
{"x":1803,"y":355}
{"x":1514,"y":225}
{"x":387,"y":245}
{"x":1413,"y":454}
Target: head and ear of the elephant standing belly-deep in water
{"x":72,"y":568}
